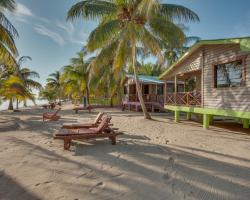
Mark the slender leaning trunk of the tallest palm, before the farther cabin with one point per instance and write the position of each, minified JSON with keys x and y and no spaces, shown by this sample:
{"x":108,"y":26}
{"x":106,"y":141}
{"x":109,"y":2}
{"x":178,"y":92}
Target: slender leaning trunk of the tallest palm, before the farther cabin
{"x":138,"y":87}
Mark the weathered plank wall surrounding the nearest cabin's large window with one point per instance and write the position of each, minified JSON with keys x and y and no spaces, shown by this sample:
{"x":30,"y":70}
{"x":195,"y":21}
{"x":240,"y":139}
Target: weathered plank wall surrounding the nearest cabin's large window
{"x":236,"y":98}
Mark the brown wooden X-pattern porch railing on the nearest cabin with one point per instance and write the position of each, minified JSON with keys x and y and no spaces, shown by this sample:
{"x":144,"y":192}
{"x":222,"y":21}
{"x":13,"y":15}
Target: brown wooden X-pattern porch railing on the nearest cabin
{"x":187,"y":98}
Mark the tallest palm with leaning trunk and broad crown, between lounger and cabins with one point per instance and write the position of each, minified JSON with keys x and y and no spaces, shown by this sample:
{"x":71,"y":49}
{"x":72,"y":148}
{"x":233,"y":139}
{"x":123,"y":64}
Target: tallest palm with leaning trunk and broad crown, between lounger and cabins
{"x":125,"y":25}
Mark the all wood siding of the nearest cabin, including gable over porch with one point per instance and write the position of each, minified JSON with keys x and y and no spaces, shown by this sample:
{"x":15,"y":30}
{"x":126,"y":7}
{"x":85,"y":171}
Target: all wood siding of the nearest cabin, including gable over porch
{"x":235,"y":98}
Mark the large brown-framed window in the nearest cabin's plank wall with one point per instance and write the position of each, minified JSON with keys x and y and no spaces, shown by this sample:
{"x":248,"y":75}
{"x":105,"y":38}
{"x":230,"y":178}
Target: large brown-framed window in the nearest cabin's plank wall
{"x":229,"y":74}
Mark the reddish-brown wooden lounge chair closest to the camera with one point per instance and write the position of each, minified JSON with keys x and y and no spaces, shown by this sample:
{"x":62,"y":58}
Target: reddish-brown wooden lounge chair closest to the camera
{"x":84,"y":134}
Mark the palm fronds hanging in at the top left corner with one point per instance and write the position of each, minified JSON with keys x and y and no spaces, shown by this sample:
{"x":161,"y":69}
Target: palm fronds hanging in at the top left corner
{"x":8,"y":33}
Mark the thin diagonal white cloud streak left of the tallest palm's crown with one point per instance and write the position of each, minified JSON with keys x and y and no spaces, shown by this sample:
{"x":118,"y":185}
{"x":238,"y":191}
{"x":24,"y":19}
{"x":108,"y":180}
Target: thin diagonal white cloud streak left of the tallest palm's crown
{"x":42,"y":30}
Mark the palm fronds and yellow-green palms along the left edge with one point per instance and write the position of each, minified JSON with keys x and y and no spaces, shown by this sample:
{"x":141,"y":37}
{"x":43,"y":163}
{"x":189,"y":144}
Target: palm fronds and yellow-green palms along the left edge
{"x":16,"y":82}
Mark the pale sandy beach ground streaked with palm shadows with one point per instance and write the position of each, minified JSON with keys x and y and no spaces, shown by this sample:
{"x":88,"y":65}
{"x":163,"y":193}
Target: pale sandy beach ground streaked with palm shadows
{"x":157,"y":159}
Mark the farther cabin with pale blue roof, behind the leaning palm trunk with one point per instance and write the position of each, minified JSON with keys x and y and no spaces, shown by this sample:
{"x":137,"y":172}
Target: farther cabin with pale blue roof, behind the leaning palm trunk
{"x":153,"y":91}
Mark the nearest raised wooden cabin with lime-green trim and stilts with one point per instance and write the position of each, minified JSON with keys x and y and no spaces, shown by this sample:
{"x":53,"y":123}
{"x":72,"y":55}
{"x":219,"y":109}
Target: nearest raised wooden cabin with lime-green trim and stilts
{"x":217,"y":81}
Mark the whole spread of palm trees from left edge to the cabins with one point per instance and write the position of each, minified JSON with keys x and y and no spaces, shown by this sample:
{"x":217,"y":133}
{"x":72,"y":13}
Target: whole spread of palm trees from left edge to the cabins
{"x":128,"y":32}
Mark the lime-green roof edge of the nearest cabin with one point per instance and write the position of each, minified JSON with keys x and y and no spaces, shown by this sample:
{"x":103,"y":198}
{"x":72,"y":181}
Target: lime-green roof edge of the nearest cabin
{"x":244,"y":43}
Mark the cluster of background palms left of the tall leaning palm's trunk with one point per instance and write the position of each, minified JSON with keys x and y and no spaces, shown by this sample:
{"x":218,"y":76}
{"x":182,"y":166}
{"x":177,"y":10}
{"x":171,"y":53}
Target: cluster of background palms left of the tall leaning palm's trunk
{"x":81,"y":78}
